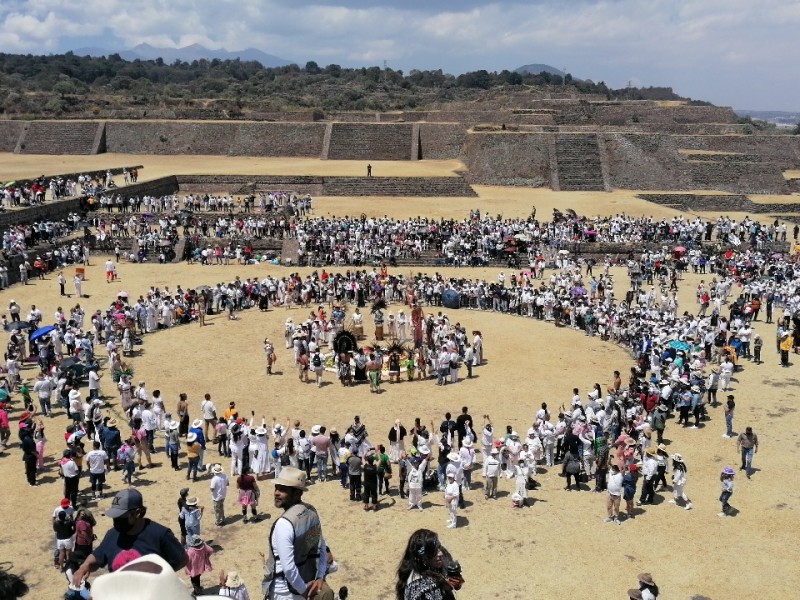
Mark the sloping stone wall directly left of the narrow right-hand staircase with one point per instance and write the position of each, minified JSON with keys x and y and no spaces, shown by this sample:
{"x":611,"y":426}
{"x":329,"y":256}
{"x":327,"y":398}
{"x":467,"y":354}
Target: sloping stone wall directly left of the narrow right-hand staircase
{"x":508,"y":158}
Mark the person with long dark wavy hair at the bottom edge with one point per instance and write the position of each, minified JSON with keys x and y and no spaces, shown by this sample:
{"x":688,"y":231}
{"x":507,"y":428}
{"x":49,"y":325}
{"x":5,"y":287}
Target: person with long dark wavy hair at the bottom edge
{"x":420,"y":575}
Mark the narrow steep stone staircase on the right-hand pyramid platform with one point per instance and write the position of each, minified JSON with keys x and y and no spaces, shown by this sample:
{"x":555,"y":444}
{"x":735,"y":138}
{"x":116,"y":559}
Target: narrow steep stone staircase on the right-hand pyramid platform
{"x":579,"y":166}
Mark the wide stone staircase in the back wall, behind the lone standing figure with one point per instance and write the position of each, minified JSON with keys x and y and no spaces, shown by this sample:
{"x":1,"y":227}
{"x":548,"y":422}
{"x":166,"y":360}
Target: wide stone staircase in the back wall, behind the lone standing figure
{"x":373,"y":141}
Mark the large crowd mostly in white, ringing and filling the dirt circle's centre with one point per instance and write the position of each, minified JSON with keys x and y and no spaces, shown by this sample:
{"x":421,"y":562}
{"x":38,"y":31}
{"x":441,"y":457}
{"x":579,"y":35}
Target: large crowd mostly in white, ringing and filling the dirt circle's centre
{"x":608,"y":440}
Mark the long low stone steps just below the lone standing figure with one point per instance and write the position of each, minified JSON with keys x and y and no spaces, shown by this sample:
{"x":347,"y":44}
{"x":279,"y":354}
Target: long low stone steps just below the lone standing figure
{"x":454,"y":187}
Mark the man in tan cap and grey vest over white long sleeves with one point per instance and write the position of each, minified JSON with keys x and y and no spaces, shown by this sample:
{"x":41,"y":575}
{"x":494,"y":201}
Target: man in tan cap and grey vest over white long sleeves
{"x":297,"y":556}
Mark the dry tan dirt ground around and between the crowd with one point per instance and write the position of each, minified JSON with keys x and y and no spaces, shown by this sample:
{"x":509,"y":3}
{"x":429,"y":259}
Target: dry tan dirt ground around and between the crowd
{"x":558,"y":548}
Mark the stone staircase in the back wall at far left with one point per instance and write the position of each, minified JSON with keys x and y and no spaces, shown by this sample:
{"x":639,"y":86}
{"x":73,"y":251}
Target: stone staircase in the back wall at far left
{"x":62,"y":137}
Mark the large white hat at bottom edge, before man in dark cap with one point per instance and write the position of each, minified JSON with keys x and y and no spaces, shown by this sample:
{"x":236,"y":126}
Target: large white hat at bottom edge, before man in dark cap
{"x":133,"y":582}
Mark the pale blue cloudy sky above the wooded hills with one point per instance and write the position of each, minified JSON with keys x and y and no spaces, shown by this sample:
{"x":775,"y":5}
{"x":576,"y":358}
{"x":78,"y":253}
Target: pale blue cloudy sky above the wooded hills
{"x":737,"y":53}
